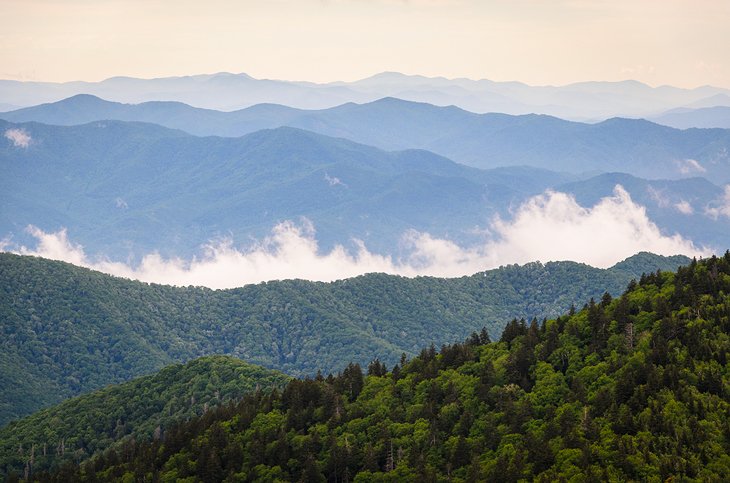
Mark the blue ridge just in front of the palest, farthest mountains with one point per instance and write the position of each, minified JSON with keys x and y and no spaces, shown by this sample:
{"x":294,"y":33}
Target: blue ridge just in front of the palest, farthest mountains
{"x":637,"y":147}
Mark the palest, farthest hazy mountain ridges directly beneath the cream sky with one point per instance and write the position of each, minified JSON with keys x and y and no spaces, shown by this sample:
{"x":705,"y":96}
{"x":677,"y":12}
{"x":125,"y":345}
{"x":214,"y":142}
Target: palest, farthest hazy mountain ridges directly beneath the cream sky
{"x":226,"y":91}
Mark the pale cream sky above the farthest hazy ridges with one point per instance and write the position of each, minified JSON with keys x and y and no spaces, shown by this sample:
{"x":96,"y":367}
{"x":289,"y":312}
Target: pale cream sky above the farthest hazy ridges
{"x":685,"y":43}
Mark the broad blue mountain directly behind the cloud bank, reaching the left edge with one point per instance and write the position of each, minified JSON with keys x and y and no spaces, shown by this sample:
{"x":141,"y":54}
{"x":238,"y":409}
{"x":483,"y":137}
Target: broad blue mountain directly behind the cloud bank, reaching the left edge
{"x":127,"y":173}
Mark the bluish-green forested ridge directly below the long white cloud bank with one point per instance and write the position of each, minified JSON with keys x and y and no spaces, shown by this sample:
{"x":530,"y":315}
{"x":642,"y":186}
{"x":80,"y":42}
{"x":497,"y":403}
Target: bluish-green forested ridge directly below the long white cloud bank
{"x":66,"y":330}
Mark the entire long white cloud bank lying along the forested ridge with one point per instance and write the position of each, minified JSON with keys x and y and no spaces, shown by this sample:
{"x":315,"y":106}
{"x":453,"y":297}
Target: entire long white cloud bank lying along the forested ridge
{"x":552,"y":226}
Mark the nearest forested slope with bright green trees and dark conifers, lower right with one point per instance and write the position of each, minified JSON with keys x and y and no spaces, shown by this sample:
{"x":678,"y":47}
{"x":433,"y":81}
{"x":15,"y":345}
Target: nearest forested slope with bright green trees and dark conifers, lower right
{"x":635,"y":387}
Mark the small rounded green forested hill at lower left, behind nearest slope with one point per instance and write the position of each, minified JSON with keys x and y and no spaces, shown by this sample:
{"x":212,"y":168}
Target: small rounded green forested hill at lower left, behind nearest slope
{"x":142,"y":409}
